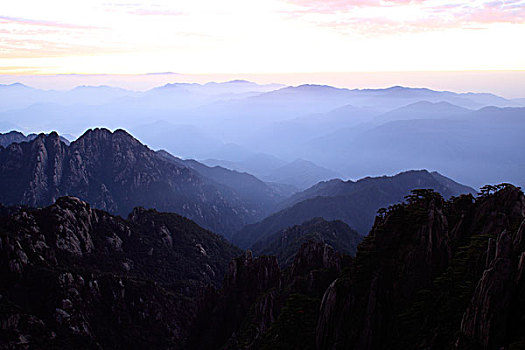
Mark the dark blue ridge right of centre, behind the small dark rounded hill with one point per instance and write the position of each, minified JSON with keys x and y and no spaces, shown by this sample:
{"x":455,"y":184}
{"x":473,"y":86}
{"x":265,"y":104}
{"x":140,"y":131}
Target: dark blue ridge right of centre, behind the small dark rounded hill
{"x":354,"y":203}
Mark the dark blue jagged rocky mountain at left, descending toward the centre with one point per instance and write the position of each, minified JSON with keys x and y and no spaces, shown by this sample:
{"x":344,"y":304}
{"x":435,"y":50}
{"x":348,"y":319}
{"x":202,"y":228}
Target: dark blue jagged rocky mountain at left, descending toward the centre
{"x":115,"y":172}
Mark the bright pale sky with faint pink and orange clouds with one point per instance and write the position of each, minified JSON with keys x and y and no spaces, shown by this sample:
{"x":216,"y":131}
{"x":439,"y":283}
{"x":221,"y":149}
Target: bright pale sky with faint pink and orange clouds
{"x":260,"y":37}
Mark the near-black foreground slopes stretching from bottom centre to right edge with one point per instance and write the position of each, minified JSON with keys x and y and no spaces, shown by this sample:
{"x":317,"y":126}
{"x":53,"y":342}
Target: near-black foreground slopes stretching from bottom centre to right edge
{"x":431,"y":274}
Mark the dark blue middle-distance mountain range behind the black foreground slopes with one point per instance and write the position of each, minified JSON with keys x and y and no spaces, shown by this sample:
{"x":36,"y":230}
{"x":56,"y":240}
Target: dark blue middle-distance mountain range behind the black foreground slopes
{"x":115,"y":172}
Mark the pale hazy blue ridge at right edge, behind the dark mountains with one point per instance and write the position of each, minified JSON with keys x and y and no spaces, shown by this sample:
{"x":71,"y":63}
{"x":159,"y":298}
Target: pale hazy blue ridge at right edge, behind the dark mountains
{"x":474,"y":147}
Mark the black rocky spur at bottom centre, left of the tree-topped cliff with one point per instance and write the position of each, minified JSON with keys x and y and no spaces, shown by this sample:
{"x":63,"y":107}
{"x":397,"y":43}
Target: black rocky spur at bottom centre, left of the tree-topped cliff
{"x":261,"y":306}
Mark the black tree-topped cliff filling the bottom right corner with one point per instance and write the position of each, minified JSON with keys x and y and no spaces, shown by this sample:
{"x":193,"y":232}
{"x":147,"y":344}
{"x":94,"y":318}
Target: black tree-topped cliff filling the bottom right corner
{"x":428,"y":271}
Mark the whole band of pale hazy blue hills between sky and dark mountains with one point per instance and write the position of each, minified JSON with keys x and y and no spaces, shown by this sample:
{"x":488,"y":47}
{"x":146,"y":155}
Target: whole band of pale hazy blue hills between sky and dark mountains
{"x":352,"y":133}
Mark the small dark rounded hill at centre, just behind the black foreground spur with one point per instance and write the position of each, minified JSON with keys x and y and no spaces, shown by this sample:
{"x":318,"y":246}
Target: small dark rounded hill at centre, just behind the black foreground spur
{"x":285,"y":244}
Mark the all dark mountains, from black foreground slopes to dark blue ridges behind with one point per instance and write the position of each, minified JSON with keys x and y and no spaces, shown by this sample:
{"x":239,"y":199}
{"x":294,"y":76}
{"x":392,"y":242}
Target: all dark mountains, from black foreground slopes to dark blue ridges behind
{"x":98,"y":250}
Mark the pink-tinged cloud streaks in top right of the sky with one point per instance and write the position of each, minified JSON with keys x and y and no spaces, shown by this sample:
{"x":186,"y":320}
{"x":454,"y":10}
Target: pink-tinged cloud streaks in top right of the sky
{"x":455,"y":14}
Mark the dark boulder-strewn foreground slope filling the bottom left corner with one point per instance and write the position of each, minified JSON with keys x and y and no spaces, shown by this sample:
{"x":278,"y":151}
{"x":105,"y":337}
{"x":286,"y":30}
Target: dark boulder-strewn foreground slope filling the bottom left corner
{"x":77,"y":277}
